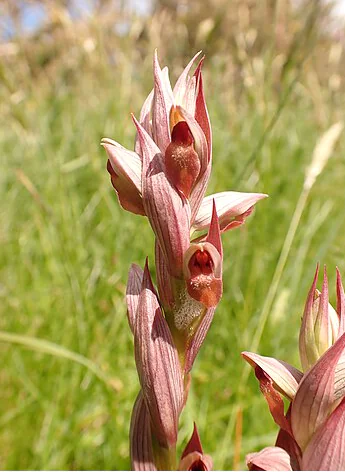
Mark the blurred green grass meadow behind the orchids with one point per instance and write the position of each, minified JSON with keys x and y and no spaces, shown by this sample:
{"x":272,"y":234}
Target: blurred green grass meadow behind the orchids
{"x":67,"y":246}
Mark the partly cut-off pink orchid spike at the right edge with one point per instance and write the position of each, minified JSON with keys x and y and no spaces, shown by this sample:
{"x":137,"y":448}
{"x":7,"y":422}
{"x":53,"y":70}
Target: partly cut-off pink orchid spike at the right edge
{"x":312,"y":432}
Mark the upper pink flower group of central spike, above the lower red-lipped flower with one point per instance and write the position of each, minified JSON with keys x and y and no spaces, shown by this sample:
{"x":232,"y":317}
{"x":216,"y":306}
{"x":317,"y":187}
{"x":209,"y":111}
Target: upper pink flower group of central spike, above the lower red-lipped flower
{"x":167,"y":175}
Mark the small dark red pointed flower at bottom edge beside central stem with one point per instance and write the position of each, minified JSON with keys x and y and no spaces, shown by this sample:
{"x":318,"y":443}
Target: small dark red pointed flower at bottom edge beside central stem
{"x":193,"y":457}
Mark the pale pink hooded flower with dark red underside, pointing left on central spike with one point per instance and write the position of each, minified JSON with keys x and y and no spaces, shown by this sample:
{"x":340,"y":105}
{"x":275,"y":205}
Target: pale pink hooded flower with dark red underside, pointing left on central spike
{"x":124,"y":167}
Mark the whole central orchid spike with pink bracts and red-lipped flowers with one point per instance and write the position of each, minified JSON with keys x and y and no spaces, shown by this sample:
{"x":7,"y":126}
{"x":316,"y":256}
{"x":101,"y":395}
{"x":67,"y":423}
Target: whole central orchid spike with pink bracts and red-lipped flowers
{"x":165,"y":179}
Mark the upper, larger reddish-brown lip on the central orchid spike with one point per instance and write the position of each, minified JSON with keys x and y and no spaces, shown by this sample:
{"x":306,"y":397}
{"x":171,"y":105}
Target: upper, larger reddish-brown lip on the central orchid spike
{"x":181,"y":160}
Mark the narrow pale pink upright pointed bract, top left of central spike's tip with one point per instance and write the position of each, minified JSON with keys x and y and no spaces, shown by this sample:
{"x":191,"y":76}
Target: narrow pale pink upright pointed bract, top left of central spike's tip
{"x":162,"y":102}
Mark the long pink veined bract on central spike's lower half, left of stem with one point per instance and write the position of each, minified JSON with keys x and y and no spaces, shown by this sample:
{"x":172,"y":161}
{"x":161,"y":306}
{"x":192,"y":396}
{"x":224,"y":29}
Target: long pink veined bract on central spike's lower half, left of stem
{"x":158,"y":366}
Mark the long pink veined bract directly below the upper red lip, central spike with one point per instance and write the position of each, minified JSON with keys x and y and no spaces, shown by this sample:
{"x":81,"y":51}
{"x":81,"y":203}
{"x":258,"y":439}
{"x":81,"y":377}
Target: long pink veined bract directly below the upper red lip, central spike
{"x":167,"y":210}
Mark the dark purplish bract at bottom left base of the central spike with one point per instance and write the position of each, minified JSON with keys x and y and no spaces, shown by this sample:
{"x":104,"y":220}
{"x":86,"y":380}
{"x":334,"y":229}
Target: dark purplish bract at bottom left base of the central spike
{"x":140,"y":437}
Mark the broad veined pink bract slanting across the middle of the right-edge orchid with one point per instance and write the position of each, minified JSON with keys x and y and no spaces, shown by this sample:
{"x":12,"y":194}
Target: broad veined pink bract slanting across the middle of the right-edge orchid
{"x":315,"y":395}
